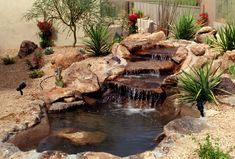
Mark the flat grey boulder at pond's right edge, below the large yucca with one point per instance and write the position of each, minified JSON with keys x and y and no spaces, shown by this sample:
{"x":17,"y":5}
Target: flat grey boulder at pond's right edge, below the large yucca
{"x":184,"y":126}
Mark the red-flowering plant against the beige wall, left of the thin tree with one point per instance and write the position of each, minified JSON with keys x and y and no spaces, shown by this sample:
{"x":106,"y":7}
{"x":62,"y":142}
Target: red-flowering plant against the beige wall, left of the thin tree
{"x":45,"y":34}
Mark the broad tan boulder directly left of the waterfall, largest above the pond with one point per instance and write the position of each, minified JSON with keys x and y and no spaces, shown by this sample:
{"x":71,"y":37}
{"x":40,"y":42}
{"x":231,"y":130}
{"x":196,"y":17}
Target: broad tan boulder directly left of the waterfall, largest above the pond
{"x":88,"y":75}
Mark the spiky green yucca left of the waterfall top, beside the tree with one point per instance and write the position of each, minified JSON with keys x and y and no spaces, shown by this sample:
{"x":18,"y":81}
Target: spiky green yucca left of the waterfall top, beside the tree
{"x":98,"y":43}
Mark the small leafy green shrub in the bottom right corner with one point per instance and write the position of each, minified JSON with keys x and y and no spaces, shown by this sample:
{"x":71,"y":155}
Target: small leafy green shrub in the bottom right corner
{"x":208,"y":150}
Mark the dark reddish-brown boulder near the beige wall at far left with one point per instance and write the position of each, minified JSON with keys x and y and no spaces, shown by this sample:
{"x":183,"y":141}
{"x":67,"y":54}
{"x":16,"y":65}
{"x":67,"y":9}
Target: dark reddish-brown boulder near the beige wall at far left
{"x":26,"y":48}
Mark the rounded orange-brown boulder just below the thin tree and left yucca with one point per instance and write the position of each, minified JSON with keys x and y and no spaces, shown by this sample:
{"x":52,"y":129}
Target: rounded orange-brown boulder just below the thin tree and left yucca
{"x":65,"y":60}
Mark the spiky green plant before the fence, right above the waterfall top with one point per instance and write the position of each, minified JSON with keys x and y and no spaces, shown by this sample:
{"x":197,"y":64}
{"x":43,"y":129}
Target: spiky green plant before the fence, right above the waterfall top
{"x":185,"y":27}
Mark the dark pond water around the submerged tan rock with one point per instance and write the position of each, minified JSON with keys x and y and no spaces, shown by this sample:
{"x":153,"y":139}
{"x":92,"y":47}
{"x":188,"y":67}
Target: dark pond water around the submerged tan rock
{"x":129,"y":131}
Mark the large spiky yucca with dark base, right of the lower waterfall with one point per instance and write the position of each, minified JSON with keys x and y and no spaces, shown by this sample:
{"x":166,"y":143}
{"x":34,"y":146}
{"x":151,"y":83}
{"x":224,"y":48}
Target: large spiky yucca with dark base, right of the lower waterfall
{"x":199,"y":85}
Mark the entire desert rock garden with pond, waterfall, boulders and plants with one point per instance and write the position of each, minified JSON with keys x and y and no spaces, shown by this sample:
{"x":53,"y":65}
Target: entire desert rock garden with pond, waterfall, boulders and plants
{"x":159,"y":95}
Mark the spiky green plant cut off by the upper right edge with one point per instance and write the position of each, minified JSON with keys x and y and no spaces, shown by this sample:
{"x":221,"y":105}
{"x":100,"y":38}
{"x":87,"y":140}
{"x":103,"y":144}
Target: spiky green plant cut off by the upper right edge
{"x":226,"y":38}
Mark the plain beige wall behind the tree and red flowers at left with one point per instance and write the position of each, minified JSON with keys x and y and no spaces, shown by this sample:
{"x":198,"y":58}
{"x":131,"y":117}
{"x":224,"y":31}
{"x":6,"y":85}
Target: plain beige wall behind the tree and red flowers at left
{"x":13,"y":29}
